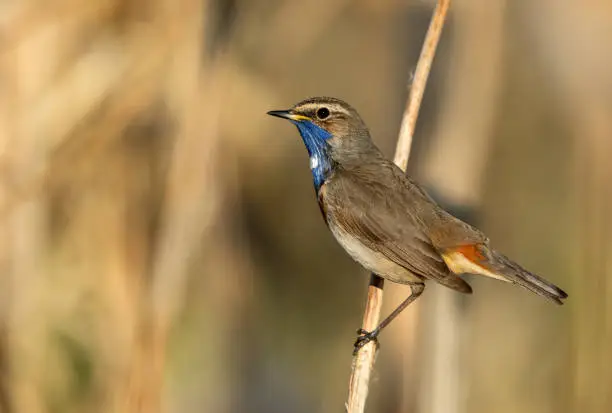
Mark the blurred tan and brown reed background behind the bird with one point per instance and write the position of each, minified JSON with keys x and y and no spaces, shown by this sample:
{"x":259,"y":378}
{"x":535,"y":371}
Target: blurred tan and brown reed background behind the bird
{"x":162,"y":249}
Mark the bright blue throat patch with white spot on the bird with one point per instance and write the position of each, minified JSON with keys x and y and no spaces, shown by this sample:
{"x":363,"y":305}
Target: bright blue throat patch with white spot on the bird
{"x":315,"y":139}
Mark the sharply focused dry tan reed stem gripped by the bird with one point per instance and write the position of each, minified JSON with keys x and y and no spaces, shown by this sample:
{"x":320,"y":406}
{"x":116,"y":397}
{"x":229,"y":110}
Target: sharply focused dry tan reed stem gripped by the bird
{"x":363,"y":361}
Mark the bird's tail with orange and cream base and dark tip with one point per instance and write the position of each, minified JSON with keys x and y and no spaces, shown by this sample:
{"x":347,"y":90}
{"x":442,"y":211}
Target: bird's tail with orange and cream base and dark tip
{"x":479,"y":259}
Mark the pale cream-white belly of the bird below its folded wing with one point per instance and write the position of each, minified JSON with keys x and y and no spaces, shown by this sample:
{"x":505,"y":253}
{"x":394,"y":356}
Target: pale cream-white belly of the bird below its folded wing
{"x":372,"y":260}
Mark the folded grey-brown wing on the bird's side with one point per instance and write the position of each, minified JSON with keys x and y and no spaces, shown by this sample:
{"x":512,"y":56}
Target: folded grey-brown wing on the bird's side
{"x":380,"y":211}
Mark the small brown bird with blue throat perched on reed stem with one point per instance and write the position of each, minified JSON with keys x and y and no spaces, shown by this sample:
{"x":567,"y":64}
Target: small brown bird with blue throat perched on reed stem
{"x":386,"y":221}
